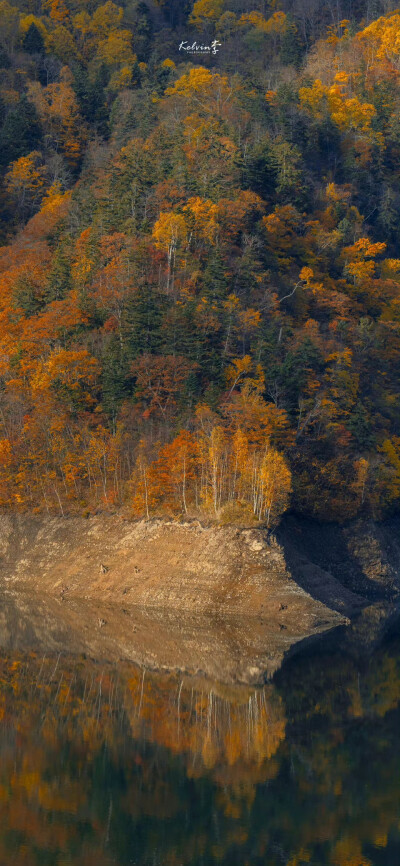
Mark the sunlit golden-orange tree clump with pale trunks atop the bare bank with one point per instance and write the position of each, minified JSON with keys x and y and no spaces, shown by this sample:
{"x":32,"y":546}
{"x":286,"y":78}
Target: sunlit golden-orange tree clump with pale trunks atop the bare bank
{"x":224,"y":463}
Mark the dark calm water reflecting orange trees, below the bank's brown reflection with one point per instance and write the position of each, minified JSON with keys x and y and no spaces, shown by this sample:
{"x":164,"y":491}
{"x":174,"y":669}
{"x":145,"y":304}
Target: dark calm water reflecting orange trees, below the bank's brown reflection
{"x":102,"y":766}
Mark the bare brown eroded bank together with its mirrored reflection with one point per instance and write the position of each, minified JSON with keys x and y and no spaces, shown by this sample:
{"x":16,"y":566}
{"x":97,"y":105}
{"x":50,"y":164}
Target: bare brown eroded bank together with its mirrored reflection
{"x":227,"y":602}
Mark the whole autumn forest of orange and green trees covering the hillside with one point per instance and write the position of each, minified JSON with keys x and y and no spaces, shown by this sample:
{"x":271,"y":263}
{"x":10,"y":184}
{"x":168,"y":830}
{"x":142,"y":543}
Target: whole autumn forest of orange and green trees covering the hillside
{"x":199,"y":261}
